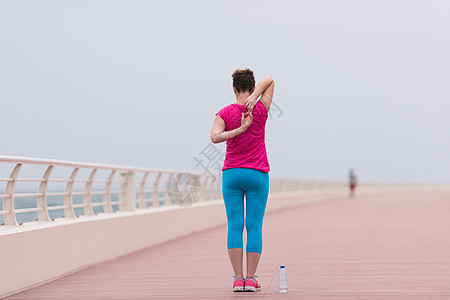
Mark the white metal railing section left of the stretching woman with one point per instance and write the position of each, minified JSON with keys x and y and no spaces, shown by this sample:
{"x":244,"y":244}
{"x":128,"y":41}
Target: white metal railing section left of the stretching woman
{"x":155,"y":187}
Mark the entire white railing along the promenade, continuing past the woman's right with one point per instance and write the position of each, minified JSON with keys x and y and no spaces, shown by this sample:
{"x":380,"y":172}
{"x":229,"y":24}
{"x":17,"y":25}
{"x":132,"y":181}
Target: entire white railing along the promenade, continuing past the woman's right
{"x":107,"y":188}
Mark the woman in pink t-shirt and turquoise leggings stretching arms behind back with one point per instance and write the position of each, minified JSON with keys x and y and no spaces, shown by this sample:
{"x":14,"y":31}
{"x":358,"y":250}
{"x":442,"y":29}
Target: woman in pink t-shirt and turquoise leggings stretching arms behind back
{"x":245,"y":171}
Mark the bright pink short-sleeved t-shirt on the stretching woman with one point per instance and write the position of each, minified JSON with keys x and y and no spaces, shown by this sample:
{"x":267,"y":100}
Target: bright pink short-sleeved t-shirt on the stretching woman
{"x":247,"y":150}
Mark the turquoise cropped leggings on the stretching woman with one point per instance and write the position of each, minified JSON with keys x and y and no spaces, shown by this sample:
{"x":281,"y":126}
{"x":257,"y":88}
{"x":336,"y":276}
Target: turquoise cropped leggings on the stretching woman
{"x":254,"y":184}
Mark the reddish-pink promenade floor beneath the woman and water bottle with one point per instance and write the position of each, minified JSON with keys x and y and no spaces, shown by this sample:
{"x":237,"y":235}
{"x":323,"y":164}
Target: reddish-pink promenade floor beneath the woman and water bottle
{"x":387,"y":245}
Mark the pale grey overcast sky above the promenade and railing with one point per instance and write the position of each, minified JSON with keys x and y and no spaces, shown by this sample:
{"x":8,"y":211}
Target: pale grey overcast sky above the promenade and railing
{"x":362,"y":84}
